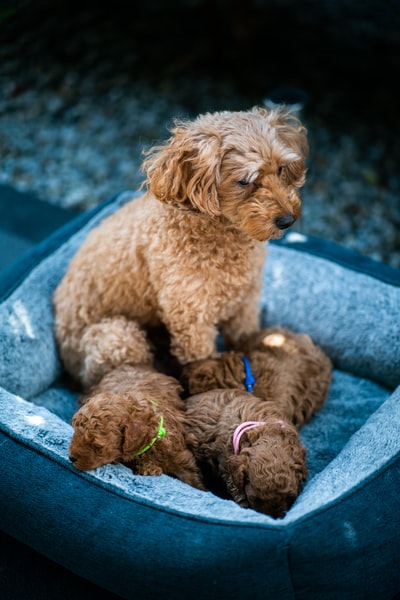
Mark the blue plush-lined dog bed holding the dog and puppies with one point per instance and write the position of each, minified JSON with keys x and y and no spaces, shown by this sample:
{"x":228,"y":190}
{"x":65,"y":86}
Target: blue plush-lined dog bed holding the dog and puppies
{"x":147,"y":537}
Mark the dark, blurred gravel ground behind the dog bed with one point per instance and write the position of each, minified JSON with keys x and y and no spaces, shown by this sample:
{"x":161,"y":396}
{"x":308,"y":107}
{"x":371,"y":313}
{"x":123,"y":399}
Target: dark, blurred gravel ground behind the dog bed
{"x":84,"y":90}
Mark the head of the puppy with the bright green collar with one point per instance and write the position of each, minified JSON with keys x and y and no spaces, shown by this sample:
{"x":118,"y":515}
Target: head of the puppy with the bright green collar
{"x":101,"y":436}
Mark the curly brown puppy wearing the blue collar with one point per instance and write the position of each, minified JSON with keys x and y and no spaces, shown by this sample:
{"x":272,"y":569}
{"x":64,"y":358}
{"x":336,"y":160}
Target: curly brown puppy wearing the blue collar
{"x":292,"y":373}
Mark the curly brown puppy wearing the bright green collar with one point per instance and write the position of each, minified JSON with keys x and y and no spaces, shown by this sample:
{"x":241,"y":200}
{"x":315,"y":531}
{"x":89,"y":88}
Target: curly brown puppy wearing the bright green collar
{"x":134,"y":415}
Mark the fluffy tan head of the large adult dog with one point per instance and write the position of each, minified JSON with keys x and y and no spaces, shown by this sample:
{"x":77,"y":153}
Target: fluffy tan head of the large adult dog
{"x":246,"y":166}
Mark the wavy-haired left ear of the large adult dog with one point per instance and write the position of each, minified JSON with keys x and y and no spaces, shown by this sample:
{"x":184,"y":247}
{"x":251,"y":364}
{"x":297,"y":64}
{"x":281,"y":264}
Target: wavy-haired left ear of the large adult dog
{"x":186,"y":169}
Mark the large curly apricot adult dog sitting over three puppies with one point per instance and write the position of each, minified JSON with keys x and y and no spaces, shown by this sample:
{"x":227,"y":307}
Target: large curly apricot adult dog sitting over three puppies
{"x":188,"y":253}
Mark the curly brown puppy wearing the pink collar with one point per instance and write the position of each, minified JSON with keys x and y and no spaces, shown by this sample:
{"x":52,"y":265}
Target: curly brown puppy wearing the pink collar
{"x":268,"y":472}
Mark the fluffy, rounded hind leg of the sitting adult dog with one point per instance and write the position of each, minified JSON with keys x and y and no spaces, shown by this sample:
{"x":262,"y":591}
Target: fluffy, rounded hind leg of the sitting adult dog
{"x":111,"y":342}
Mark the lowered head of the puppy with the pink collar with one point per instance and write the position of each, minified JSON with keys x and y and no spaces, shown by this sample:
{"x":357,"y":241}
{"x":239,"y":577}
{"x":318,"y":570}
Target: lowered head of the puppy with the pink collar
{"x":268,"y":472}
